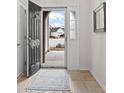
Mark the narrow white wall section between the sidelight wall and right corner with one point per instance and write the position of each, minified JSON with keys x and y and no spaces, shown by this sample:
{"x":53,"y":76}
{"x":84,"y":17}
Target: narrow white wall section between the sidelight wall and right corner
{"x":84,"y":35}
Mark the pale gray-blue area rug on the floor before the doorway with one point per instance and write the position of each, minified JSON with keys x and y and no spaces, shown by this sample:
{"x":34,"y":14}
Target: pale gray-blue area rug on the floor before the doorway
{"x":50,"y":80}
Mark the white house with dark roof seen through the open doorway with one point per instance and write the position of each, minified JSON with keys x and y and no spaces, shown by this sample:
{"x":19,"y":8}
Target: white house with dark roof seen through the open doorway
{"x":56,"y":32}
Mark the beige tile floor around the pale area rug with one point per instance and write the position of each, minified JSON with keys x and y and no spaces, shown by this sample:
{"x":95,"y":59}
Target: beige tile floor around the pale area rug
{"x":80,"y":82}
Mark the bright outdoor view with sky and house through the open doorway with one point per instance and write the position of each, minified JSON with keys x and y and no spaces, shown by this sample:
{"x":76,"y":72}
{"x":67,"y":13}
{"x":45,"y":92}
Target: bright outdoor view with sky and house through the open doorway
{"x":54,"y":38}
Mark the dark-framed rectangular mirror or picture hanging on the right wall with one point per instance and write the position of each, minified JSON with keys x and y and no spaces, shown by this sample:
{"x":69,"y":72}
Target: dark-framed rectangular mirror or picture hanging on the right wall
{"x":99,"y":16}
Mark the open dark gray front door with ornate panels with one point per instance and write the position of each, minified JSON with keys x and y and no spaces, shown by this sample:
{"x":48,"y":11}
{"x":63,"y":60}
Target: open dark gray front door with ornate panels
{"x":34,"y":38}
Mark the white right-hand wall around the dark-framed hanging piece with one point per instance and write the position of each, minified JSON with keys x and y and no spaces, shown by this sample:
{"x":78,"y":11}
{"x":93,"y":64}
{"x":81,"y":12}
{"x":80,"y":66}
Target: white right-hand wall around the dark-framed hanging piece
{"x":98,"y":46}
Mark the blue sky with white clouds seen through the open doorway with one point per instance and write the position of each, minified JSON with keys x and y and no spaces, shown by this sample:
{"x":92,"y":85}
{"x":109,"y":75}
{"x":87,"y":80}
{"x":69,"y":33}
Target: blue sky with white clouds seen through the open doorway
{"x":56,"y":18}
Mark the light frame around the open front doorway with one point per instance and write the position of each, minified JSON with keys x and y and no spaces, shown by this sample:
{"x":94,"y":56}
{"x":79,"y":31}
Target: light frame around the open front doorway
{"x":66,"y":30}
